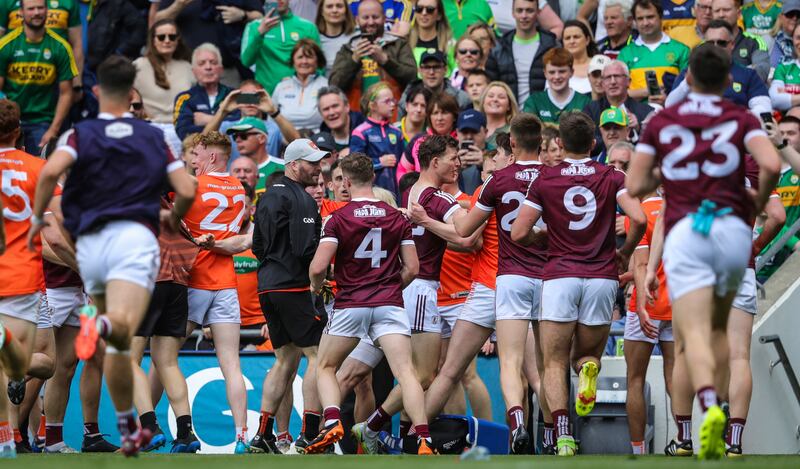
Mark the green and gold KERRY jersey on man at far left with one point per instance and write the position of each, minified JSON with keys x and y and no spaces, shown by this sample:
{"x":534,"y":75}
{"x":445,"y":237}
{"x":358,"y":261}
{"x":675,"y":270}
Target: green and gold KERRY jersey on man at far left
{"x":32,"y":72}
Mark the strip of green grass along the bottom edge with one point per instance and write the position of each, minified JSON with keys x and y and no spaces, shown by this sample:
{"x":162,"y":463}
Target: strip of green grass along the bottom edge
{"x":93,"y":461}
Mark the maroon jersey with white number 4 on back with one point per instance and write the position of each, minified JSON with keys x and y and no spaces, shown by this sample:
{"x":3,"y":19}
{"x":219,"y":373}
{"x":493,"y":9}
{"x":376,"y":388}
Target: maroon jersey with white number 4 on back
{"x":368,"y":234}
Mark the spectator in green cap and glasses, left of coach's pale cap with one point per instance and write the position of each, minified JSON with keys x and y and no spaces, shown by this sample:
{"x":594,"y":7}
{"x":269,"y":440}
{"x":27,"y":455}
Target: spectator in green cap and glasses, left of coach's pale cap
{"x":250,"y":135}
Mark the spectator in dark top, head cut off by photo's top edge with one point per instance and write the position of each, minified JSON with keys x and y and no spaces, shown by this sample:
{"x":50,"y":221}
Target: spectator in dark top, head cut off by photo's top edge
{"x":220,"y":22}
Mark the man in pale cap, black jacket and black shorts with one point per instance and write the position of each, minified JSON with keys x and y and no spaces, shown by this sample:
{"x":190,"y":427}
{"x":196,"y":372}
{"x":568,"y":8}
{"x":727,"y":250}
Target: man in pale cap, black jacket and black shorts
{"x":286,"y":234}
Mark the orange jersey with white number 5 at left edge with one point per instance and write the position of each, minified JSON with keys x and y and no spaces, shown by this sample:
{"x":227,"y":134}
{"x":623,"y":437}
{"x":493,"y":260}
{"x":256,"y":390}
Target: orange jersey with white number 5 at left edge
{"x":20,"y":270}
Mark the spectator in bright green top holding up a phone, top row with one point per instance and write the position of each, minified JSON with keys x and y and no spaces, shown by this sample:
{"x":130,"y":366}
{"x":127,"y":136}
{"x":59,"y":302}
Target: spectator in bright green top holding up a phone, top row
{"x":268,"y":43}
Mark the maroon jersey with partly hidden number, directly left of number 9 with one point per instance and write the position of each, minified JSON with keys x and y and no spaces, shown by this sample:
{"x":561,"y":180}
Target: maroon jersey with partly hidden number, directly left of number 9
{"x":504,"y":192}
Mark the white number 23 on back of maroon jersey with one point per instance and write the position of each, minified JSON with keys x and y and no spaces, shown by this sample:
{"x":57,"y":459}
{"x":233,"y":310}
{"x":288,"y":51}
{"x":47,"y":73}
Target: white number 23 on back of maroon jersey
{"x":721,"y":145}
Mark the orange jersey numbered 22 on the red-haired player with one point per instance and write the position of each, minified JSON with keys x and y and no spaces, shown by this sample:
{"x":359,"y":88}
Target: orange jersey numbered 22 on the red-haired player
{"x":218,"y":209}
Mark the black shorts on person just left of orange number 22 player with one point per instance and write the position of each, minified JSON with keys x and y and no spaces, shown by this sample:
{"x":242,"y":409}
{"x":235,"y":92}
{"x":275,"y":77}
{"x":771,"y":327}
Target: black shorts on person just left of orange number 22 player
{"x":168,"y":312}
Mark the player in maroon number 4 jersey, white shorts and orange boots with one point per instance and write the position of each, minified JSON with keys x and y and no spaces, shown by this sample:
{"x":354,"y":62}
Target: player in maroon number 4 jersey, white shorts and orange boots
{"x":376,"y":259}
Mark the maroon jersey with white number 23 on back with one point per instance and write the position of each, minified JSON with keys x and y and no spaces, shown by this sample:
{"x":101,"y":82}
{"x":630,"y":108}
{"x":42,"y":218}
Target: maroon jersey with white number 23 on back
{"x":699,"y":144}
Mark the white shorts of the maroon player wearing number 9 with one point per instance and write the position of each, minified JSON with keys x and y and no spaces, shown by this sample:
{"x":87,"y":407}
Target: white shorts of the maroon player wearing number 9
{"x":590,"y":301}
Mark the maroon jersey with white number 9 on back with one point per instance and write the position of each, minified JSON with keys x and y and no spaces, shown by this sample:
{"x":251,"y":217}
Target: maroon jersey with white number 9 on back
{"x":578,"y":201}
